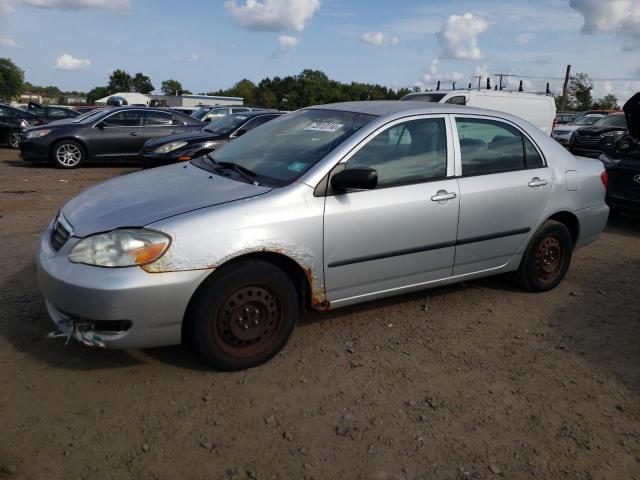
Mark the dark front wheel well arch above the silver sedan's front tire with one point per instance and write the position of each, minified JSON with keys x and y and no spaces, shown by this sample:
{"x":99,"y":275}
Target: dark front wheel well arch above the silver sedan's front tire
{"x":293,"y":270}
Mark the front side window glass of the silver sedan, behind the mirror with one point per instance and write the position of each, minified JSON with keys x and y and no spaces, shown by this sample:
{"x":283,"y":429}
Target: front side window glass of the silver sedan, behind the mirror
{"x":409,"y":152}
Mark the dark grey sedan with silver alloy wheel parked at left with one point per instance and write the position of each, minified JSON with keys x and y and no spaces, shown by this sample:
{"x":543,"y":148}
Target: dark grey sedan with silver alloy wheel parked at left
{"x":109,"y":134}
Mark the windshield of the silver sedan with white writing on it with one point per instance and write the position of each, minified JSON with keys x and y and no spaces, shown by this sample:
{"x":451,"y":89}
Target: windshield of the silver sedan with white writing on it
{"x":283,"y":149}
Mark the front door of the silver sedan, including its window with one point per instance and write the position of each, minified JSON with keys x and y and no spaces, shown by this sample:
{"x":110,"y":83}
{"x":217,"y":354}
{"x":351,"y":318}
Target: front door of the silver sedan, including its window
{"x":403,"y":232}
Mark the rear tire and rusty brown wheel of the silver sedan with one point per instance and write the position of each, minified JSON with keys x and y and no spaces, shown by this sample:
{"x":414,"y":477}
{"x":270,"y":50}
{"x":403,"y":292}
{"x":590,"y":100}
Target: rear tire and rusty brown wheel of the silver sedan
{"x":546,"y":259}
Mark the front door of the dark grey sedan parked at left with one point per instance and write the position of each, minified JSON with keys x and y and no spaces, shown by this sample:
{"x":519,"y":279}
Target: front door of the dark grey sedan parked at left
{"x":118,"y":135}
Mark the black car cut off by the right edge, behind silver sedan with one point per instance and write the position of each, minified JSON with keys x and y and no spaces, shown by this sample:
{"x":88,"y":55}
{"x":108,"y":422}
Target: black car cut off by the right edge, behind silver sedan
{"x":623,"y":165}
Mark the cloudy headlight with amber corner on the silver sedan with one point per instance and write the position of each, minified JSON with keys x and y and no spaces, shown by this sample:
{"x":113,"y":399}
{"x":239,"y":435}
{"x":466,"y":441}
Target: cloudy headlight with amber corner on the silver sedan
{"x":120,"y":248}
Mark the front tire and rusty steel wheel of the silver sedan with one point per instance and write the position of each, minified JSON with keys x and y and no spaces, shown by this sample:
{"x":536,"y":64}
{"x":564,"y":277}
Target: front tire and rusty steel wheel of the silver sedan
{"x":243,"y":315}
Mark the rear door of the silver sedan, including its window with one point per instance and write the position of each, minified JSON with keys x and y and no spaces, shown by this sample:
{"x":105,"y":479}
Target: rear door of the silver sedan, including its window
{"x":504,"y":187}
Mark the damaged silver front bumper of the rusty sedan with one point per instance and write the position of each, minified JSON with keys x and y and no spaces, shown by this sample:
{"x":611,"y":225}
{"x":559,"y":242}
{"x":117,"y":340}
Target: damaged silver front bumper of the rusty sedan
{"x":81,"y":298}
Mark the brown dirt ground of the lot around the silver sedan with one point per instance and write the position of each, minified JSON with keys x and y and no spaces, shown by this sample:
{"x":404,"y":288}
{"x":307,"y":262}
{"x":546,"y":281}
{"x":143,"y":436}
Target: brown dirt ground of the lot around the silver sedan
{"x":476,"y":381}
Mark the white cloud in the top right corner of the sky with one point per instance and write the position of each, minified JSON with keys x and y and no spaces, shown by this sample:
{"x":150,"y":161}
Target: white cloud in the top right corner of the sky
{"x":619,"y":17}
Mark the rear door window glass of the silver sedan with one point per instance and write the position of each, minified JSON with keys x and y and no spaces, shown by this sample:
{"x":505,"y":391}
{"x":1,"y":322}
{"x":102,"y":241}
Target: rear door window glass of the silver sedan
{"x":489,"y":146}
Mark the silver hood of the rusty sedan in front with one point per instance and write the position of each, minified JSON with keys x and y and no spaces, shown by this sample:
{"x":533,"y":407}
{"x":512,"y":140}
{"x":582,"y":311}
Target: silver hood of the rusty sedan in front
{"x":141,"y":198}
